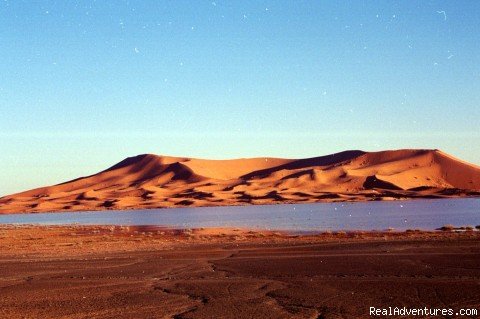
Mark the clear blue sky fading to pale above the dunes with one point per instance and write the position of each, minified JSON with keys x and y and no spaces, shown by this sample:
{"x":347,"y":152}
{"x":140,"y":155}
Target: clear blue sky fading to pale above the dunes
{"x":84,"y":84}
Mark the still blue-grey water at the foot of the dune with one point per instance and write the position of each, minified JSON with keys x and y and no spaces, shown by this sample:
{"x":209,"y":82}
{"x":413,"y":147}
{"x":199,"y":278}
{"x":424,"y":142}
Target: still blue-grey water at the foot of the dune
{"x":400,"y":215}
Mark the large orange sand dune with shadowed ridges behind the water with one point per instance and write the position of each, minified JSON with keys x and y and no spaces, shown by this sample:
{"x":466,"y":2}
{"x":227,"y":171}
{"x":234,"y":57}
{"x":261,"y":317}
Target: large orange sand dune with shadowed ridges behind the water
{"x":150,"y":181}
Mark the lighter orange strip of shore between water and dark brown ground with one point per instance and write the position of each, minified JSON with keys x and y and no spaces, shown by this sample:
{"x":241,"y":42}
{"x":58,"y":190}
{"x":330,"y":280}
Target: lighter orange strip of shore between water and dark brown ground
{"x":77,"y":238}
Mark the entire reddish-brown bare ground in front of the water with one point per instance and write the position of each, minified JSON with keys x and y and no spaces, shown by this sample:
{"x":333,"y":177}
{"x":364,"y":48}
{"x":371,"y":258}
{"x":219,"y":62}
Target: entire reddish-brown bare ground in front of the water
{"x":102,"y":272}
